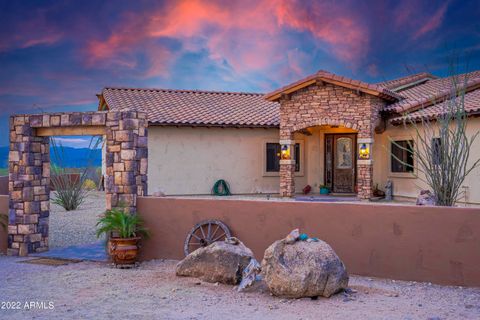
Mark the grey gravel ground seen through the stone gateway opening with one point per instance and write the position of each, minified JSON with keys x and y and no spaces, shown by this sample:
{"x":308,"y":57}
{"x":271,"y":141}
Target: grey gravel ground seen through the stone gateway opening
{"x":68,"y":228}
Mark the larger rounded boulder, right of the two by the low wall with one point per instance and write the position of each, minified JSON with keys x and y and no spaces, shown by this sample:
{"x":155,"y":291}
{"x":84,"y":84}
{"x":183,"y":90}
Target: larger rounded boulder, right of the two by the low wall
{"x":303,"y":269}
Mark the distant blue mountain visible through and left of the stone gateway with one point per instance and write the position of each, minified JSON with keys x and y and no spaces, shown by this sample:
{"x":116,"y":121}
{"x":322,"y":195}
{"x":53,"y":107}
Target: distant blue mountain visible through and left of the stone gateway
{"x":72,"y":157}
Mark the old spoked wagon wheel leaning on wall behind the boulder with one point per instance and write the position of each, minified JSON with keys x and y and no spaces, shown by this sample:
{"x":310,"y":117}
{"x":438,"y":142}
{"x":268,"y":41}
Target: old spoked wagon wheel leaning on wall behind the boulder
{"x":205,"y":233}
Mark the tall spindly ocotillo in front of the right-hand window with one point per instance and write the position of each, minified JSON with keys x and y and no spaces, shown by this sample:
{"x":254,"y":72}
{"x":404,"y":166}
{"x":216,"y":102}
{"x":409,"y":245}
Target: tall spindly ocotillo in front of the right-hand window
{"x":441,"y":145}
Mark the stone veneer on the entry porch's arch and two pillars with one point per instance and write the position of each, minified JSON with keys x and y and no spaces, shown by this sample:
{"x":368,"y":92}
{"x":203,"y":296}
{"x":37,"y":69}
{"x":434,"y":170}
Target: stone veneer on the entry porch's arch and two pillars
{"x":328,"y":104}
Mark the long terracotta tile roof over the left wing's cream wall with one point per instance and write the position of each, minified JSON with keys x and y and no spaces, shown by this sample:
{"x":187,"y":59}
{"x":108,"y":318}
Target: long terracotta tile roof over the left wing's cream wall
{"x":192,"y":107}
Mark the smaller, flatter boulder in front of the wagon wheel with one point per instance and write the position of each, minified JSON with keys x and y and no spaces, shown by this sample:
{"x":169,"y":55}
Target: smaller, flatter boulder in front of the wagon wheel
{"x":219,"y":262}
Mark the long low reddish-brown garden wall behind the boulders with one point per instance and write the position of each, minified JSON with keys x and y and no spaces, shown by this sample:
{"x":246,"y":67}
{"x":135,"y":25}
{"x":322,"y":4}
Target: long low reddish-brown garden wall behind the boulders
{"x":440,"y":245}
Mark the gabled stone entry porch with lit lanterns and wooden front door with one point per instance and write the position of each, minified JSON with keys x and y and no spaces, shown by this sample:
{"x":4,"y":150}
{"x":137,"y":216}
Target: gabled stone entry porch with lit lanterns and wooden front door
{"x":343,"y":114}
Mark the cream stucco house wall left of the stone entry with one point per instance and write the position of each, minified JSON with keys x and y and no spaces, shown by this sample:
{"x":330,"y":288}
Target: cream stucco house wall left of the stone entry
{"x":186,"y":160}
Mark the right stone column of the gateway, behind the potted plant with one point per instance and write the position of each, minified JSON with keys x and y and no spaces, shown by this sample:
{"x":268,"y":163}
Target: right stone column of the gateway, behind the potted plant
{"x":126,"y":159}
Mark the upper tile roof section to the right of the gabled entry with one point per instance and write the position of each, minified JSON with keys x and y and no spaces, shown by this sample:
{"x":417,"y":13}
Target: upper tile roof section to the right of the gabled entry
{"x":425,"y":94}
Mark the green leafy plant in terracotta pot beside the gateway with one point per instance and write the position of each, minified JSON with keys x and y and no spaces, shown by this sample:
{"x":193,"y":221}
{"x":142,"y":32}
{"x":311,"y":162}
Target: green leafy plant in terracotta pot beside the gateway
{"x":124,"y":231}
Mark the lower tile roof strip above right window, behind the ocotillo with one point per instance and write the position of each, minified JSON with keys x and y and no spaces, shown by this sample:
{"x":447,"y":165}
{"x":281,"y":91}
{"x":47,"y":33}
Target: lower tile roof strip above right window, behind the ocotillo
{"x":471,"y":104}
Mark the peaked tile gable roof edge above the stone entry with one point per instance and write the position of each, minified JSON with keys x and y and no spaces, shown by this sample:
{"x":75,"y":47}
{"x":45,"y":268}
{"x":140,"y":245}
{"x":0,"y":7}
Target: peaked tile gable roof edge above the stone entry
{"x":328,"y":77}
